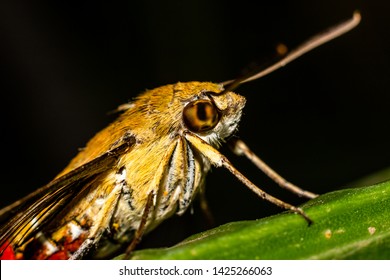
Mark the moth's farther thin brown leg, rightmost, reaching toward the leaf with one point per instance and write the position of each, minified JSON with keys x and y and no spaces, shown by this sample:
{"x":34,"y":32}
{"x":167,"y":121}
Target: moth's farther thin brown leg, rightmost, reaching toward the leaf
{"x":240,"y":148}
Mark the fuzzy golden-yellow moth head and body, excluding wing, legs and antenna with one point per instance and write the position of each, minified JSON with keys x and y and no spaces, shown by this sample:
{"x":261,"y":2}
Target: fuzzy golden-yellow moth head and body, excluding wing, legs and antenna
{"x":110,"y":206}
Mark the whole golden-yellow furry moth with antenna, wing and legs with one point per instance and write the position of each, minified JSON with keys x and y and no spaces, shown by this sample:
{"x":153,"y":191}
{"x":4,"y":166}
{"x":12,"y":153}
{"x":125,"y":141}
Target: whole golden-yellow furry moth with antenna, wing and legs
{"x":144,"y":167}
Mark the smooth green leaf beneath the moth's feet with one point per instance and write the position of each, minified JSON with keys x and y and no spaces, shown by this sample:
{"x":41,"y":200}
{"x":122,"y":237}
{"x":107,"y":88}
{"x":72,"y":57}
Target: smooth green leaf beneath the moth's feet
{"x":348,"y":224}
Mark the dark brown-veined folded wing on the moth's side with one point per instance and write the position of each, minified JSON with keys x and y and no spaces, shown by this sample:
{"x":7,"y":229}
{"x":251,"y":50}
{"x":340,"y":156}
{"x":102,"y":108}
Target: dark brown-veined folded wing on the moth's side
{"x":32,"y":212}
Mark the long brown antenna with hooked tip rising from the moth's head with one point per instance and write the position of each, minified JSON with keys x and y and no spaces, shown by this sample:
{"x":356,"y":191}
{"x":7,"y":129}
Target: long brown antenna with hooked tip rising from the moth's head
{"x":307,"y":46}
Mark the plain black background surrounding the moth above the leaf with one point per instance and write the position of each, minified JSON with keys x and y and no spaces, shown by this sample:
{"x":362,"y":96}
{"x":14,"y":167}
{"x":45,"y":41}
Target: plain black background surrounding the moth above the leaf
{"x":322,"y":122}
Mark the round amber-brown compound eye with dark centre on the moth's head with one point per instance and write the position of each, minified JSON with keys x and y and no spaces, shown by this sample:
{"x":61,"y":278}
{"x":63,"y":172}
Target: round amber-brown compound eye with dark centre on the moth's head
{"x":200,"y":115}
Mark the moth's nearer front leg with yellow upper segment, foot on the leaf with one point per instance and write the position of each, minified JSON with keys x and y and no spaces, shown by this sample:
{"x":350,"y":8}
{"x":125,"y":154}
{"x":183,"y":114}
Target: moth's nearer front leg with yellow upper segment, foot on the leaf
{"x":218,"y":159}
